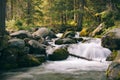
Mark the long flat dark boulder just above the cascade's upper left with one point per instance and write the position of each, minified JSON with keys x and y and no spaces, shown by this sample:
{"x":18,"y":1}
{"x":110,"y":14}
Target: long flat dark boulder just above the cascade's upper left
{"x":65,"y":41}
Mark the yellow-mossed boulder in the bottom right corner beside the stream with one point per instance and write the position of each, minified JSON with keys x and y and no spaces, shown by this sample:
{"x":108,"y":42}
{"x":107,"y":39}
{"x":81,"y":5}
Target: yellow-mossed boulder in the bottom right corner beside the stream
{"x":113,"y":71}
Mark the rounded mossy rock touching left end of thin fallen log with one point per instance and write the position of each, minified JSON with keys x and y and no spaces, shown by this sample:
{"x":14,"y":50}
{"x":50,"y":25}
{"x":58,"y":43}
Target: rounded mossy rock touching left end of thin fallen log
{"x":59,"y":54}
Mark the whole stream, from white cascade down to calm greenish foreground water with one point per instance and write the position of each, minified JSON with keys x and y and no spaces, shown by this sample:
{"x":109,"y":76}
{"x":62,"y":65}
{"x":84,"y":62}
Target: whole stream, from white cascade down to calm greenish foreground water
{"x":70,"y":69}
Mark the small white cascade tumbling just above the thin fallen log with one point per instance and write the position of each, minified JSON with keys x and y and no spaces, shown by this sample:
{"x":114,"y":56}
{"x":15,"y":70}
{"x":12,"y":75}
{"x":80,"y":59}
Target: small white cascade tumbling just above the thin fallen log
{"x":91,"y":50}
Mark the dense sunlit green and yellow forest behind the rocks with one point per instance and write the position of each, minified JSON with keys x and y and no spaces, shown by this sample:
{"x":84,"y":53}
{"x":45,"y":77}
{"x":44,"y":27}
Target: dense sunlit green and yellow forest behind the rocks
{"x":60,"y":15}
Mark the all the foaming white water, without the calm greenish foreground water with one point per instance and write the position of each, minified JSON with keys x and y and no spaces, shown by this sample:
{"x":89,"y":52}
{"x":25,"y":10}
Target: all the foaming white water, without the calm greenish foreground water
{"x":91,"y":49}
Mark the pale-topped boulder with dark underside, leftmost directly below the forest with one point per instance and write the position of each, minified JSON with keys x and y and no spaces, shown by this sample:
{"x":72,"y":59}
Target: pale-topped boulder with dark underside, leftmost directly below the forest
{"x":21,"y":34}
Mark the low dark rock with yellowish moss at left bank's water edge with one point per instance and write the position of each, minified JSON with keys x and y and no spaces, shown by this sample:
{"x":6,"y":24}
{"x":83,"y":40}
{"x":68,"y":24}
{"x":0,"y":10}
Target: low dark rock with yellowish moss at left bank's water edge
{"x":28,"y":61}
